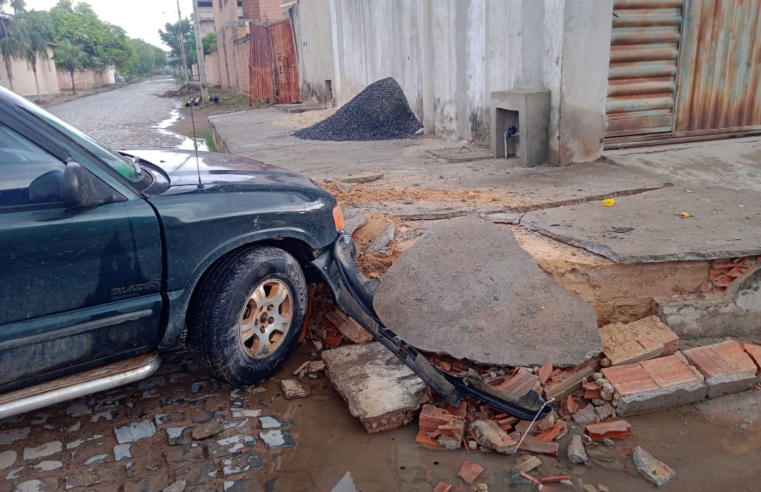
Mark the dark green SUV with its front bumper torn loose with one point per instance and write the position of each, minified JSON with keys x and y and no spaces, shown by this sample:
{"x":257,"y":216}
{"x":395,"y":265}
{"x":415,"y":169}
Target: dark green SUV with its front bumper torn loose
{"x":107,"y":257}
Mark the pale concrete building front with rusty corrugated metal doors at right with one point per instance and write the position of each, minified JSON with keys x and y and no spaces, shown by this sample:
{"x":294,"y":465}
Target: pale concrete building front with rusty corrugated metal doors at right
{"x":623,"y":72}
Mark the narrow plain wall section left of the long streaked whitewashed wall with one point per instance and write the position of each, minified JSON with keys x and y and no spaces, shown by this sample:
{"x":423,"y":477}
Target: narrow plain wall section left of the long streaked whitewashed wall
{"x":314,"y":43}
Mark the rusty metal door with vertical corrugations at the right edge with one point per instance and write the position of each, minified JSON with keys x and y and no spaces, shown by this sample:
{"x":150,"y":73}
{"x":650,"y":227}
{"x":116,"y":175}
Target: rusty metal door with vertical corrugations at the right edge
{"x":720,"y":69}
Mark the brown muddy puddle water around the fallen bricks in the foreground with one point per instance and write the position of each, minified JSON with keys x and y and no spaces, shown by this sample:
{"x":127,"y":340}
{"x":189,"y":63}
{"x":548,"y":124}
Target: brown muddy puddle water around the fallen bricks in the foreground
{"x":714,"y":445}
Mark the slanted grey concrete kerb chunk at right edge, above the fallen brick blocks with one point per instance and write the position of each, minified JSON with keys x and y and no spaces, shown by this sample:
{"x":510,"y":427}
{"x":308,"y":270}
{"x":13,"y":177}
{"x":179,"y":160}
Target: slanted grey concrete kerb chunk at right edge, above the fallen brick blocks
{"x":737,"y":314}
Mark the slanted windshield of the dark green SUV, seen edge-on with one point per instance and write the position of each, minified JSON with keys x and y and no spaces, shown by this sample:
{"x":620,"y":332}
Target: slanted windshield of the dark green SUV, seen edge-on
{"x":123,"y":165}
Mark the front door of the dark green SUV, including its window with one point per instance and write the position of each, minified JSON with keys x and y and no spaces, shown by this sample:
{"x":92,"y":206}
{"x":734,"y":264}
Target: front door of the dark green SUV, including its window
{"x":78,"y":288}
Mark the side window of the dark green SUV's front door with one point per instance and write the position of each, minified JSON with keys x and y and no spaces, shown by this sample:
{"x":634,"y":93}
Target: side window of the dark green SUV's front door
{"x":29,"y":175}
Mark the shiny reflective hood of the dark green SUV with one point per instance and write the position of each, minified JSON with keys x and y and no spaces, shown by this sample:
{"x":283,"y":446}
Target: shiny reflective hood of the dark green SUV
{"x":219,"y":169}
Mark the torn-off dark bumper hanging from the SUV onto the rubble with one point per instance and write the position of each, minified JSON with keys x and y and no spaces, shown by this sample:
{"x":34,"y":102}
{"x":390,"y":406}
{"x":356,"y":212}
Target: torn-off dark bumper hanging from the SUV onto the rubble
{"x":354,"y":294}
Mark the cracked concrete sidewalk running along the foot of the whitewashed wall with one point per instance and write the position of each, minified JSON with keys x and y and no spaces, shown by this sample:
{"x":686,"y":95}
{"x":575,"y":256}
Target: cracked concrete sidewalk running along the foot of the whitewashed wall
{"x":716,"y":183}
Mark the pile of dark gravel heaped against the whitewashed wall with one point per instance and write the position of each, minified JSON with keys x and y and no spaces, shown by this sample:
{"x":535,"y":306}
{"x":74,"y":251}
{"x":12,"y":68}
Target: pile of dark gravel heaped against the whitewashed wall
{"x":380,"y":112}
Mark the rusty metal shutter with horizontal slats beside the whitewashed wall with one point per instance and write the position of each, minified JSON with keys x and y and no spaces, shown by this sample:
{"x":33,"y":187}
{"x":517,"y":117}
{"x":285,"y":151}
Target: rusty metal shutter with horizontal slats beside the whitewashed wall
{"x":643,"y":64}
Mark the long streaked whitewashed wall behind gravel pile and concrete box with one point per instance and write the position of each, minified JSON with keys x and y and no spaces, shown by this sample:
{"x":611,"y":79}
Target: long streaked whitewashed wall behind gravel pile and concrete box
{"x":449,"y":55}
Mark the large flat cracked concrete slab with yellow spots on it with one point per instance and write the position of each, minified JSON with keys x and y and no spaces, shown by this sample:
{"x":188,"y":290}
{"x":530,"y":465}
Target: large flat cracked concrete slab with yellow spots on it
{"x":659,"y":233}
